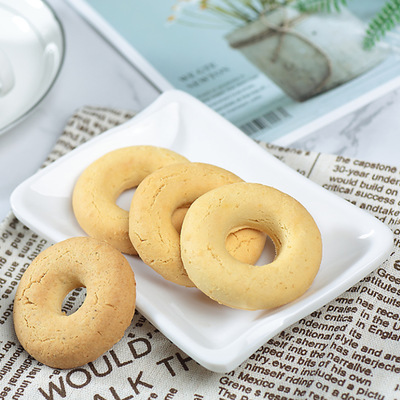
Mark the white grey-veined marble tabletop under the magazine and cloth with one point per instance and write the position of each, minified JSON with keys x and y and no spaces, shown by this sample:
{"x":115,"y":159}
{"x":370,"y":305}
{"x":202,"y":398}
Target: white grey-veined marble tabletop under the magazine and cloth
{"x":94,"y":74}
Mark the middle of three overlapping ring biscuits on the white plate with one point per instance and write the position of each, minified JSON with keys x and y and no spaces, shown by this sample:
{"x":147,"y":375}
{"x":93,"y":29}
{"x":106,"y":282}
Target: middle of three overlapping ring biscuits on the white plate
{"x":154,"y":204}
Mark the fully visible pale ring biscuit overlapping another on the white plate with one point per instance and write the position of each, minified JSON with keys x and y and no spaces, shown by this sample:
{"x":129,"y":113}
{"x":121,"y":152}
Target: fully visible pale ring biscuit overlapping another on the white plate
{"x":215,"y":272}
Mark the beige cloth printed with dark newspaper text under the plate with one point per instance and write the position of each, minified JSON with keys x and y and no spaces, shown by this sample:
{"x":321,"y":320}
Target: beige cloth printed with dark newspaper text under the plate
{"x":348,"y":349}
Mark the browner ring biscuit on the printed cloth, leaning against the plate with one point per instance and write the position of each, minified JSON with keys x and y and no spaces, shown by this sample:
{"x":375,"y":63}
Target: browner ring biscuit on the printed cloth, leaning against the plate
{"x":68,"y":341}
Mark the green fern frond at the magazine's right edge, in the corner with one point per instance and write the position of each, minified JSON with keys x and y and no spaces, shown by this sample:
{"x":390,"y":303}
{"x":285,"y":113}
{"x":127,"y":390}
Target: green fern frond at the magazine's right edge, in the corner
{"x":385,"y":21}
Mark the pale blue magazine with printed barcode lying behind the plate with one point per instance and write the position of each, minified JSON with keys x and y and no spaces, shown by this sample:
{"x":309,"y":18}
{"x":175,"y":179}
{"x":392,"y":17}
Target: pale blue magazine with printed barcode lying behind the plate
{"x":194,"y":52}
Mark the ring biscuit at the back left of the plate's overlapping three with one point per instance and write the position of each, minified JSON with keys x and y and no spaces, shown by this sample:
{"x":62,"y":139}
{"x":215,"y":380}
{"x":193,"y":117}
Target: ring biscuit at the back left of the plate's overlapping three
{"x":99,"y":186}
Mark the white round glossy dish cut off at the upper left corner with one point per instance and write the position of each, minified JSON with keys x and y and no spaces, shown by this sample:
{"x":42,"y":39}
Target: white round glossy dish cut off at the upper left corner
{"x":32,"y":44}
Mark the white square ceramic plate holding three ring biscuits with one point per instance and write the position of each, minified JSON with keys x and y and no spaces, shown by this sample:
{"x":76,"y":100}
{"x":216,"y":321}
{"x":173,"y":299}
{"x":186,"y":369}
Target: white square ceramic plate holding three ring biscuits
{"x":217,"y":337}
